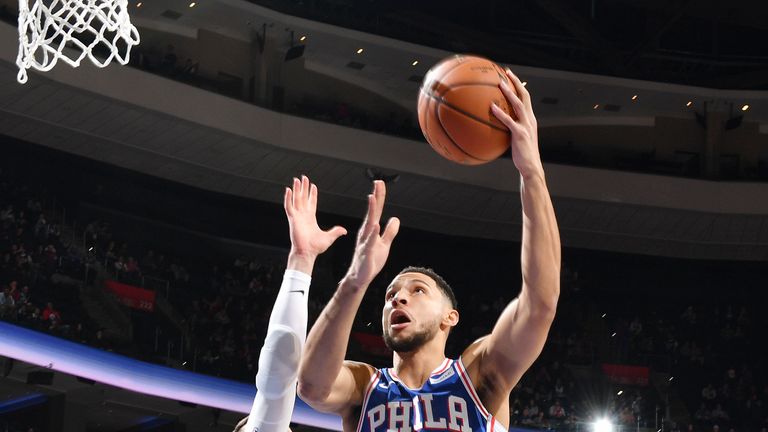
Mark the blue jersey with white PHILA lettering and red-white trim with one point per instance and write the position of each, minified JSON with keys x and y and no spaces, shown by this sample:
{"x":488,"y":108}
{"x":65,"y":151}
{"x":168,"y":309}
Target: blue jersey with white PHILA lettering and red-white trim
{"x":446,"y":402}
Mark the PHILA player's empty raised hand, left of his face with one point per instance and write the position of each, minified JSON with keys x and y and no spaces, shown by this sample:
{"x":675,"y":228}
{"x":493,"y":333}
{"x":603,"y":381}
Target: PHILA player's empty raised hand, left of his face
{"x":372,"y":247}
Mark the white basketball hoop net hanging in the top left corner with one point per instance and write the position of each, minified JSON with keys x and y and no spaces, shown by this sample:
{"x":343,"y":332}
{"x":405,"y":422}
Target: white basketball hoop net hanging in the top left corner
{"x":98,"y":29}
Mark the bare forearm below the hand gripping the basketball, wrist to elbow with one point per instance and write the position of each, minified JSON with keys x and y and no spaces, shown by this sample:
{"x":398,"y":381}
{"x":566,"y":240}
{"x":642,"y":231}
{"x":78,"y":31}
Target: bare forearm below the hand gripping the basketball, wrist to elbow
{"x":540,"y":244}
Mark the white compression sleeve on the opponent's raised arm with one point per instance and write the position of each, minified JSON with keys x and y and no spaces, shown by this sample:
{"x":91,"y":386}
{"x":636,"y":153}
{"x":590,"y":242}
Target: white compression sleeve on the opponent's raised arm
{"x":280,"y":355}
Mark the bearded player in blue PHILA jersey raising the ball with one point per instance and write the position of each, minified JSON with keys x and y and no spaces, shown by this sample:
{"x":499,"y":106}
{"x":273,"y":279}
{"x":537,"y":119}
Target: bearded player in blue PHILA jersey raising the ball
{"x":424,"y":390}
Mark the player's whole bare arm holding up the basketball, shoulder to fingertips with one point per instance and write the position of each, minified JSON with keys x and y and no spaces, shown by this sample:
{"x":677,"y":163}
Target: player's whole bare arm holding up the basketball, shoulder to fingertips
{"x":519,"y":335}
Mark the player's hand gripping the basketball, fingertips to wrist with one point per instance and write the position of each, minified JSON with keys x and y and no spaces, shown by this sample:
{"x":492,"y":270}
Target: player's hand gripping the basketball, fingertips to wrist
{"x":522,"y":127}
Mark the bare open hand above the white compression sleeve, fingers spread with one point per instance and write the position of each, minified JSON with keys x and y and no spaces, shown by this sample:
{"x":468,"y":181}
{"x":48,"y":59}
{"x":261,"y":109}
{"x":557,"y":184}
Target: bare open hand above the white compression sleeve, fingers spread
{"x":307,"y":239}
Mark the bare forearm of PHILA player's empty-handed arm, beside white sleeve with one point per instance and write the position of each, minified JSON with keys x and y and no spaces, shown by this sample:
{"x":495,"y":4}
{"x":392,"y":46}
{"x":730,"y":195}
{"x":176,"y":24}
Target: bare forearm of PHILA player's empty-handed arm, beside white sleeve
{"x":327,"y":341}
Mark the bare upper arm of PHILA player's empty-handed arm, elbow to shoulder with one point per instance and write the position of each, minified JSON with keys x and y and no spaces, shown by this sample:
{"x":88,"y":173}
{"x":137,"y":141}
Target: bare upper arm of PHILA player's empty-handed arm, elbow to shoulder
{"x":348,"y":388}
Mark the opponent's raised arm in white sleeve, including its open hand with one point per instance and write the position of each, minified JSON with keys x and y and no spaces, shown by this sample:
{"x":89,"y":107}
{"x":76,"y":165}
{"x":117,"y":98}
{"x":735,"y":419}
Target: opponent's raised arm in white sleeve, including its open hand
{"x":279,"y":358}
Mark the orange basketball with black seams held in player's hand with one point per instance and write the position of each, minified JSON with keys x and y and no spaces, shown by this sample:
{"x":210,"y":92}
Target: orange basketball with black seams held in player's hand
{"x":455,"y":109}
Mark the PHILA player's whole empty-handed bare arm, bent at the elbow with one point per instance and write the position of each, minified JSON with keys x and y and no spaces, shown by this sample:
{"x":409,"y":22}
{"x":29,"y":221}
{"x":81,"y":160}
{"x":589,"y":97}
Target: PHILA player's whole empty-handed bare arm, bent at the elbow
{"x":326,"y":381}
